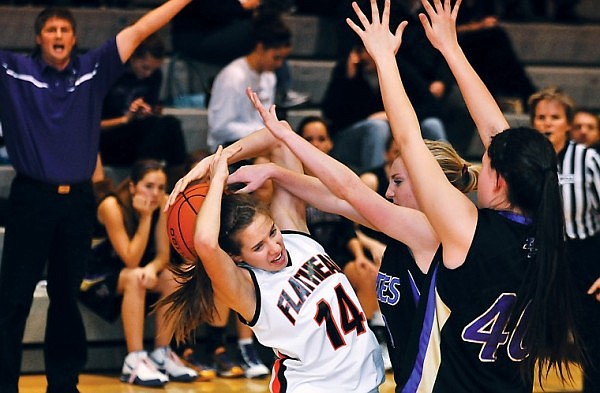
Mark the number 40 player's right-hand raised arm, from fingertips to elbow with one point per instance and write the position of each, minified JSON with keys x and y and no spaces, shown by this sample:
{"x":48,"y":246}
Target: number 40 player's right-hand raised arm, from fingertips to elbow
{"x":440,"y":28}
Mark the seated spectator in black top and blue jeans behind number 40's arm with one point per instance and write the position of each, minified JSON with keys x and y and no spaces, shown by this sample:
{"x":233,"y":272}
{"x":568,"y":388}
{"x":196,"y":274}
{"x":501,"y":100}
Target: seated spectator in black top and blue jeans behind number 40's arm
{"x":353,"y":106}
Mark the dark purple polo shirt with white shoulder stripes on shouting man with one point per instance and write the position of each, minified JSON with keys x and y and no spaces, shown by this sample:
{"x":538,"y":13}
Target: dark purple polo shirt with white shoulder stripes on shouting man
{"x":50,"y":118}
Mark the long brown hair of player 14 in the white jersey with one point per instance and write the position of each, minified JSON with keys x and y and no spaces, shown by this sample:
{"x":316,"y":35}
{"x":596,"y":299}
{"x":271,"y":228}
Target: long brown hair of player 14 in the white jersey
{"x":193,"y":302}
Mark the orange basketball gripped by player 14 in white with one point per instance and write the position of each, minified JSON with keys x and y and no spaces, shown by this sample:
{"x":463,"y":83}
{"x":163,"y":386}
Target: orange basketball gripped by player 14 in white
{"x":181,"y":219}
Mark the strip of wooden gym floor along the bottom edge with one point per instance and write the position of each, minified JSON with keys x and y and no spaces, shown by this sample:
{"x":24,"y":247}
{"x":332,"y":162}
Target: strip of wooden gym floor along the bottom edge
{"x":102,"y":383}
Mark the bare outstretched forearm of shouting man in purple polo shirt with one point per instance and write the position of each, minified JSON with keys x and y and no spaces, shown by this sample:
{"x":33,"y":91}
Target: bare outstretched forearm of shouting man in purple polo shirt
{"x":132,"y":36}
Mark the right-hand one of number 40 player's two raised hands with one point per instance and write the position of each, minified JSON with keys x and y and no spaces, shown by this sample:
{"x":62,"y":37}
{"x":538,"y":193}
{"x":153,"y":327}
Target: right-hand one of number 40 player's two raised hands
{"x":440,"y":23}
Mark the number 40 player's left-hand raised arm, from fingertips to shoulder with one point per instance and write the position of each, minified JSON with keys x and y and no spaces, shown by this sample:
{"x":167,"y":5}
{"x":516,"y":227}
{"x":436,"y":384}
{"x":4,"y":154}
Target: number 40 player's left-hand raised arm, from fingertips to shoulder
{"x":451,"y":214}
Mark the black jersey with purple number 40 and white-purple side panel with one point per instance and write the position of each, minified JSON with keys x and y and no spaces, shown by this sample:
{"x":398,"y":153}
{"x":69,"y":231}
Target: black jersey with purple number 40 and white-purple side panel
{"x":466,"y":343}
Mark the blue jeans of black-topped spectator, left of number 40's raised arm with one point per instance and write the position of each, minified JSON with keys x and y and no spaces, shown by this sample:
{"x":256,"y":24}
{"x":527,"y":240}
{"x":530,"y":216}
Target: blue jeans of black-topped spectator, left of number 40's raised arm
{"x":362,"y":145}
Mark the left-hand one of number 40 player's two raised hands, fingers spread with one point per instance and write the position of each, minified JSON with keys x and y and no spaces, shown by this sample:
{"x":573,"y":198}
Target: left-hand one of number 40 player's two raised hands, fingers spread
{"x":376,"y":35}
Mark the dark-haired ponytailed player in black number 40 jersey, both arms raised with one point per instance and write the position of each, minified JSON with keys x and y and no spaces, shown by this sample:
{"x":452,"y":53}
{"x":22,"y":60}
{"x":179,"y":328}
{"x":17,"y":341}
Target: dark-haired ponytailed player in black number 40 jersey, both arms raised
{"x":502,"y":276}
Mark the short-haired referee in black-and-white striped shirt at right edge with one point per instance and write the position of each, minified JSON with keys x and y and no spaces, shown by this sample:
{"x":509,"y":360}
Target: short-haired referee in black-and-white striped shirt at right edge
{"x":552,"y":113}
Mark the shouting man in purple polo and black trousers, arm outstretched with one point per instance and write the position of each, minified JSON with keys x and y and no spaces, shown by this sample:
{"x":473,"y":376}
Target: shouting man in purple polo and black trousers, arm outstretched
{"x":50,"y":109}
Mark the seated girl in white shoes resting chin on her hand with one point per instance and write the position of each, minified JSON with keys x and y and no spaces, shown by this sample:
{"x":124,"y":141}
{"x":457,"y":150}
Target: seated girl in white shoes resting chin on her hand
{"x":128,"y":272}
